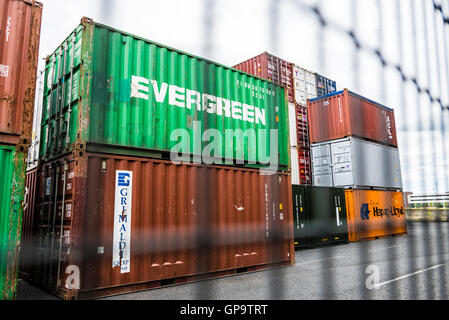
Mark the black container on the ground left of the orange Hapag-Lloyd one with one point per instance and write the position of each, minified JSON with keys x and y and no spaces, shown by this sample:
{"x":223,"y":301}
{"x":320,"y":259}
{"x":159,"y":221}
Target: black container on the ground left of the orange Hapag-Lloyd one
{"x":319,"y":216}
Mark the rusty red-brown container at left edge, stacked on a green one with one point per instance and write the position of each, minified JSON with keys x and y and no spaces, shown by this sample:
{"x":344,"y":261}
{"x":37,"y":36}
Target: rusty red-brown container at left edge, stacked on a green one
{"x":20,"y":24}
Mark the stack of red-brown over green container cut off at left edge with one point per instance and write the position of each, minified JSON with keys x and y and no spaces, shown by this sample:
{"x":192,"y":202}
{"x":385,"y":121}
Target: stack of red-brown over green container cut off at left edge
{"x":20,"y":23}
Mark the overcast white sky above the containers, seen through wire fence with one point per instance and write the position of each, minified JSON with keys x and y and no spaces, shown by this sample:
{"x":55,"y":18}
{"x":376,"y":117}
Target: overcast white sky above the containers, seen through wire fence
{"x":242,"y":29}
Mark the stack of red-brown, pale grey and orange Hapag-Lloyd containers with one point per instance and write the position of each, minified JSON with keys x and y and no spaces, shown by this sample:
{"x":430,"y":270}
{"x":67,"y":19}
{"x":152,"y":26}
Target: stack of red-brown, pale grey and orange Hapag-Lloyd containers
{"x":354,"y":145}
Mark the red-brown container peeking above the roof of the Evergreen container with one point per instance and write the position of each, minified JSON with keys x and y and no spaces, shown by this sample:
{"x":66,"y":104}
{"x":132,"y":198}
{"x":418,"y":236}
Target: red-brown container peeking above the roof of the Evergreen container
{"x":272,"y":68}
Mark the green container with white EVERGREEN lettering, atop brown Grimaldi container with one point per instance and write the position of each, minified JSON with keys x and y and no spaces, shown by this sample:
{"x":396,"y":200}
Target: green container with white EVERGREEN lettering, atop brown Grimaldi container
{"x":111,"y":92}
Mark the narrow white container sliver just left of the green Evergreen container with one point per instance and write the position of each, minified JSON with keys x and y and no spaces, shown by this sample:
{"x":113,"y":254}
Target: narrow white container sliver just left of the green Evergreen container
{"x":33,"y":152}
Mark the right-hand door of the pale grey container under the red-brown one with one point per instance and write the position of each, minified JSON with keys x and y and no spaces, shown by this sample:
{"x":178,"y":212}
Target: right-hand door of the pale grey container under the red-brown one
{"x":342,"y":165}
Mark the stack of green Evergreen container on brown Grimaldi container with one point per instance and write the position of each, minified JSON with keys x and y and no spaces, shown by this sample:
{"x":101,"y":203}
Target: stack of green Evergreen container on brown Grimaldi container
{"x":107,"y":126}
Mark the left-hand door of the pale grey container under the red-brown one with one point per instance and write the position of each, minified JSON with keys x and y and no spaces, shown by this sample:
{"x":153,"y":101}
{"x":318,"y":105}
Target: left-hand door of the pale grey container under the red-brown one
{"x":321,"y":166}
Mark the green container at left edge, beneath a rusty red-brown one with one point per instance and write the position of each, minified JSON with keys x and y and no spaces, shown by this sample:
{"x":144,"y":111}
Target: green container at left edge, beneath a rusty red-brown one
{"x":12,"y":188}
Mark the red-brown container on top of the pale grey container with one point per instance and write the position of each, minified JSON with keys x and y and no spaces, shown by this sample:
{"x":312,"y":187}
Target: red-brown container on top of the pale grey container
{"x":345,"y":114}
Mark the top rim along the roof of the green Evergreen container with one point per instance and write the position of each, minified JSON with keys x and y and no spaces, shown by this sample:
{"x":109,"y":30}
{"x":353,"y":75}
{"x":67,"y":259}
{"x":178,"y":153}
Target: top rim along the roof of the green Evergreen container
{"x":90,"y":21}
